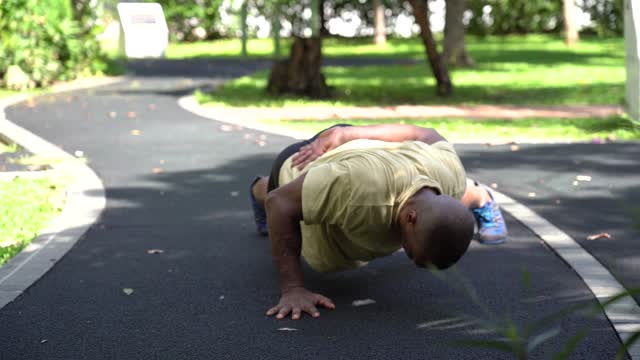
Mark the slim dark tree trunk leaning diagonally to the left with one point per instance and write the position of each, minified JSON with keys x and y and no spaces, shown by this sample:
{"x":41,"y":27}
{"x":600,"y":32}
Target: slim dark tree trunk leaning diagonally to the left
{"x":439,"y":68}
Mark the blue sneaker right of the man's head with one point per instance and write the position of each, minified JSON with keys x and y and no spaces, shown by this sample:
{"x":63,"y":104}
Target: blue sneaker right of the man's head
{"x":492,"y":229}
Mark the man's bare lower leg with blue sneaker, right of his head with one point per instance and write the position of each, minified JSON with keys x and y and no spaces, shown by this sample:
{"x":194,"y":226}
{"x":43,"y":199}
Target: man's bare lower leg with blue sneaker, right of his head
{"x":492,"y":229}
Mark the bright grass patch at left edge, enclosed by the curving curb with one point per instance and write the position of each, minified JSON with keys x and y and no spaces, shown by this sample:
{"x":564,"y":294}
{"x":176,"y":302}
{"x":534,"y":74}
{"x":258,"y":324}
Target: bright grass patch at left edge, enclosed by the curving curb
{"x":26,"y":206}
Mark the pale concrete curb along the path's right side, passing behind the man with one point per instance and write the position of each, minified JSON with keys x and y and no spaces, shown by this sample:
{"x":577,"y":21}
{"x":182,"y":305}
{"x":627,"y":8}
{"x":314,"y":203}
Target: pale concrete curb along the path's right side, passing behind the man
{"x":624,"y":314}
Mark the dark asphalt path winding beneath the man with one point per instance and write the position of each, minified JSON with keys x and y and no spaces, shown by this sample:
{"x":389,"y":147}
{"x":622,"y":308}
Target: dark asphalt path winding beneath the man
{"x":179,"y":183}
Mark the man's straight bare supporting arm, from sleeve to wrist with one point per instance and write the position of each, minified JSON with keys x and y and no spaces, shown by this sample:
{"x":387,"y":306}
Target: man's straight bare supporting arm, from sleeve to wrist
{"x":284,"y":213}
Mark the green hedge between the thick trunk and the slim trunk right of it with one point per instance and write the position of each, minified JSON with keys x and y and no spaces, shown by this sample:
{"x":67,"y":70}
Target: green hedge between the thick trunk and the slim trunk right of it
{"x":500,"y":17}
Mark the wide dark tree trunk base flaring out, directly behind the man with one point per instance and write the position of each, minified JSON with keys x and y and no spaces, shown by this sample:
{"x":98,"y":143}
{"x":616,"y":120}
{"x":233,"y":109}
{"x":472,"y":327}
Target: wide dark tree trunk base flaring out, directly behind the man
{"x":300,"y":74}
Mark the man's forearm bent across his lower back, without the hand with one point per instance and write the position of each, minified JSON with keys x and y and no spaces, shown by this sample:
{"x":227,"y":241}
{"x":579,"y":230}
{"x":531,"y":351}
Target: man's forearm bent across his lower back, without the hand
{"x":390,"y":132}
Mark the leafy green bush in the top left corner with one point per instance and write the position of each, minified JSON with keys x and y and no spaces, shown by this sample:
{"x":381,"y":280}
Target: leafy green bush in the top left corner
{"x":45,"y":41}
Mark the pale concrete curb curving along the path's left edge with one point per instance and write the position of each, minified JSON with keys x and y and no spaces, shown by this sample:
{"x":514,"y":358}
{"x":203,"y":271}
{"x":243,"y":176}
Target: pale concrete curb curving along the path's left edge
{"x":85,"y":202}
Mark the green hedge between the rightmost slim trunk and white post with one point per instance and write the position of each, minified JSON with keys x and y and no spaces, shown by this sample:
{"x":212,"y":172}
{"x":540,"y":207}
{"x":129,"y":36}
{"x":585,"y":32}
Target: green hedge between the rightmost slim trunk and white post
{"x":607,"y":16}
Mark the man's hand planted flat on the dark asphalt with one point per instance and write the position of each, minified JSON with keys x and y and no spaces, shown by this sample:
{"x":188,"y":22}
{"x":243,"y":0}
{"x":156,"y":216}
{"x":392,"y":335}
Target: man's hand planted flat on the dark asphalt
{"x":298,"y":300}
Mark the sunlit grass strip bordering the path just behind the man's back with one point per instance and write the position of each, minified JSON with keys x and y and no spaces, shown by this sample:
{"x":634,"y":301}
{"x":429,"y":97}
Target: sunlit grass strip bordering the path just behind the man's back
{"x":499,"y":130}
